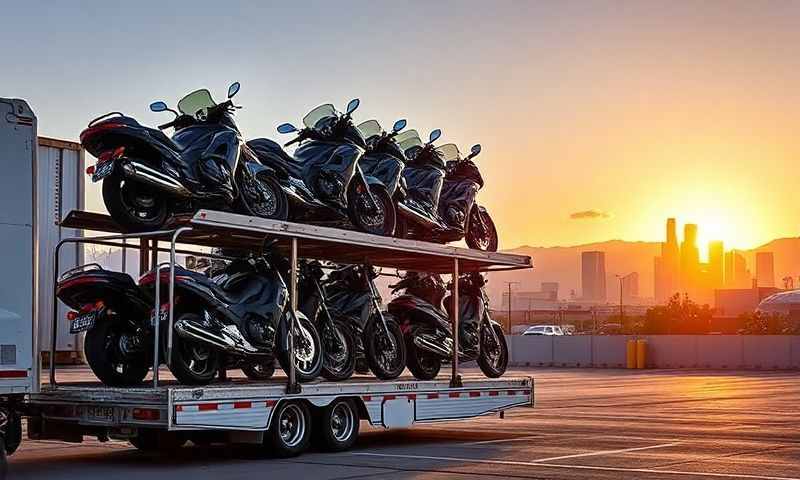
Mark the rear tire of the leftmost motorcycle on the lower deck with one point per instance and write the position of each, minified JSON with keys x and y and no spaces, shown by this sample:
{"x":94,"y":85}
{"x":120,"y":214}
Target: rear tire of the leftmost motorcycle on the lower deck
{"x":103,"y":349}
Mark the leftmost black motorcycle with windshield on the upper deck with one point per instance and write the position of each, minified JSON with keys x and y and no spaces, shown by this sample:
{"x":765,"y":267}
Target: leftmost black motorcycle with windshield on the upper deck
{"x":148,"y":176}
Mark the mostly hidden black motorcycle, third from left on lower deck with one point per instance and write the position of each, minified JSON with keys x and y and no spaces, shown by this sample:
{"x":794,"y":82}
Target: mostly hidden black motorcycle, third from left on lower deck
{"x":338,"y":339}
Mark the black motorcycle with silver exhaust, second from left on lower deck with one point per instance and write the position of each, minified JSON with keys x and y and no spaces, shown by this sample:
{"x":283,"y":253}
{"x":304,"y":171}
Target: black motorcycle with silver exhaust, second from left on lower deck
{"x":242,"y":313}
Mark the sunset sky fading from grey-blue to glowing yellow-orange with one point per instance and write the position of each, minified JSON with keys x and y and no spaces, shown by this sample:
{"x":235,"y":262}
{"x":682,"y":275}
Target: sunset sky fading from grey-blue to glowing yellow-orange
{"x":632,"y":111}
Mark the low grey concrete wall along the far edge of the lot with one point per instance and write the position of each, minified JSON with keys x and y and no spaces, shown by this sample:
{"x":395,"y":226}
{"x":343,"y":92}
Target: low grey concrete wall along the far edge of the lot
{"x":750,"y":352}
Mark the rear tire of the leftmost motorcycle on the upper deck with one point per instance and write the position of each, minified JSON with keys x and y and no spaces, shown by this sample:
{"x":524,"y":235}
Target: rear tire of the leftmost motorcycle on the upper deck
{"x":135,"y":207}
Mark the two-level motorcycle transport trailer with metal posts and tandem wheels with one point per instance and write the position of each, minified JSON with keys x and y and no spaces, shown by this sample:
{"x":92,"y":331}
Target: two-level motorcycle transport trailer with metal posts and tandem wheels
{"x":274,"y":412}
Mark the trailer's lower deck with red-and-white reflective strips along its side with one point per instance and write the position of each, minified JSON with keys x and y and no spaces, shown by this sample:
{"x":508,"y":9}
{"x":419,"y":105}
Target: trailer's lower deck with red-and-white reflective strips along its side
{"x":248,"y":406}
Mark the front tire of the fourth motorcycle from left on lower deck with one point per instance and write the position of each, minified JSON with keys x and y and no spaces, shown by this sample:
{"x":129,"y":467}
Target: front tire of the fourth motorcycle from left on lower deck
{"x":386,"y":356}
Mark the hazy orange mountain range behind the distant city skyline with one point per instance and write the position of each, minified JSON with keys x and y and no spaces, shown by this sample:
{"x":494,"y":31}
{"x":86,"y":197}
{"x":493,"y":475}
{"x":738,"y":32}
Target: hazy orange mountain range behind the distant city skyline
{"x":562,"y":265}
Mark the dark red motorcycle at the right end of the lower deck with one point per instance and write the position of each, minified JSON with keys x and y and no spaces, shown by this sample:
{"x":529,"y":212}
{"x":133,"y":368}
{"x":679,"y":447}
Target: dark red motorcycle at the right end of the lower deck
{"x":429,"y":333}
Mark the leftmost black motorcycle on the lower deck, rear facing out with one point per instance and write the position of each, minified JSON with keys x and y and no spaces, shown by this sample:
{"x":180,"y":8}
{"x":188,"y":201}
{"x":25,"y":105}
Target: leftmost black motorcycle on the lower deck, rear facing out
{"x":114,"y":313}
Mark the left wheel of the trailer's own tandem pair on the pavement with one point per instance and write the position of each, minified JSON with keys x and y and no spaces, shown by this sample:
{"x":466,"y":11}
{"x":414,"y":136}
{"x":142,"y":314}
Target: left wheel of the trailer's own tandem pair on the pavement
{"x":289,"y":433}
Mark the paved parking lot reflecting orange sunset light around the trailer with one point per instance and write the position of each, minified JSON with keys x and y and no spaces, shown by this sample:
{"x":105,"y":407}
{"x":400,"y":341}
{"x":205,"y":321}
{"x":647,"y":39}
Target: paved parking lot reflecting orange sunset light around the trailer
{"x":608,"y":424}
